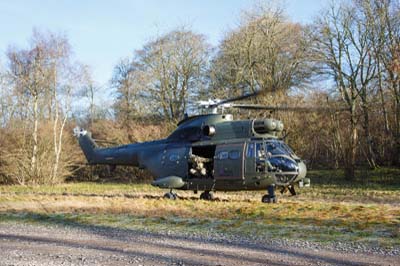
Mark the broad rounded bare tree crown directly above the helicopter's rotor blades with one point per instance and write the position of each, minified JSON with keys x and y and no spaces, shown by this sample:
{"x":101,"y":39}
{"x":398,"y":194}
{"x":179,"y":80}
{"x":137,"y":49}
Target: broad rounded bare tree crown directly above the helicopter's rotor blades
{"x":266,"y":52}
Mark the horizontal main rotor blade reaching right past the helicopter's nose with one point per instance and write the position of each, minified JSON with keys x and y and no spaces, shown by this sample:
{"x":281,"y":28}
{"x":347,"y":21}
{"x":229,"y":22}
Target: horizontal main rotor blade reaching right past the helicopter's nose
{"x":289,"y":108}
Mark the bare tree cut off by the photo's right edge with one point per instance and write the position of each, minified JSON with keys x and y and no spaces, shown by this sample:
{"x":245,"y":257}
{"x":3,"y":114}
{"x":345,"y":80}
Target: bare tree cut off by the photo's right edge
{"x":383,"y":18}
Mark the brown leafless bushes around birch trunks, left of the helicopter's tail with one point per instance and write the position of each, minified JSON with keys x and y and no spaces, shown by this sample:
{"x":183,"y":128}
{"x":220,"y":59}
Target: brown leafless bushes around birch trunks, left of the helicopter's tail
{"x":16,"y":157}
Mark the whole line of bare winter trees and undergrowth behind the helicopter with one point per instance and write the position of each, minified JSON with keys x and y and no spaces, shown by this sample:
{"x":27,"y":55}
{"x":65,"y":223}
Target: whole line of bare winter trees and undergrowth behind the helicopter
{"x":349,"y":57}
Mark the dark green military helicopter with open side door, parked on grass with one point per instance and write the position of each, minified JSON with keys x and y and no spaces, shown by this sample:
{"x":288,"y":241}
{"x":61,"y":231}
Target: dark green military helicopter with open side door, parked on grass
{"x":212,"y":152}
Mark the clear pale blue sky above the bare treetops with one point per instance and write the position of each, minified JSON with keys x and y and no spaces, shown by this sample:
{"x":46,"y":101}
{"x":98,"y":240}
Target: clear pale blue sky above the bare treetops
{"x":102,"y":32}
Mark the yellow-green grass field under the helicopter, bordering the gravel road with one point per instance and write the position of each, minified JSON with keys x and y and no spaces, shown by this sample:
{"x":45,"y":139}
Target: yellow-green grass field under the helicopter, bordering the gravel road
{"x":326,"y":212}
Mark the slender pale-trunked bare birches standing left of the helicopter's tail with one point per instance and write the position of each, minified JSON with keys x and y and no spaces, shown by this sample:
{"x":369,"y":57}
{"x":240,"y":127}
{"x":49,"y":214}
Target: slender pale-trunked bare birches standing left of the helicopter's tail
{"x":41,"y":75}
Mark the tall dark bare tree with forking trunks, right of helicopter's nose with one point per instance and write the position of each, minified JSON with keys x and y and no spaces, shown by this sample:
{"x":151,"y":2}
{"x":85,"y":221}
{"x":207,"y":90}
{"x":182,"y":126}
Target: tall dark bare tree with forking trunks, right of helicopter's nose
{"x":343,"y":47}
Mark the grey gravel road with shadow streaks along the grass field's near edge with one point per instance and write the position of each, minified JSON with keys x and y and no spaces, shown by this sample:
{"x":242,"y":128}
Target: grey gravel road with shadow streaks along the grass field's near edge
{"x":32,"y":244}
